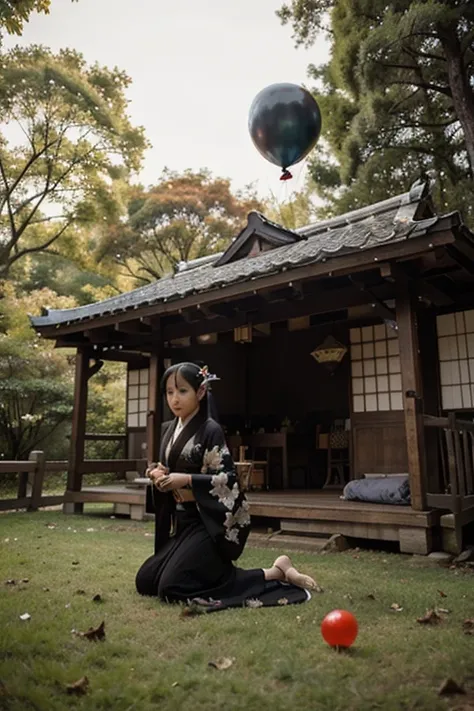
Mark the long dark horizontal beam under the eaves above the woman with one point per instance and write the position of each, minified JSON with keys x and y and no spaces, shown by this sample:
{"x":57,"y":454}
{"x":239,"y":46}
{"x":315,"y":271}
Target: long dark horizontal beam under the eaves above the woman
{"x":319,"y":303}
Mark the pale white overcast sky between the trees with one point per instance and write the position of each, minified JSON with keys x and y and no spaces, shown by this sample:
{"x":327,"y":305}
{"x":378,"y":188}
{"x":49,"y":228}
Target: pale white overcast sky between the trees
{"x":196,"y":67}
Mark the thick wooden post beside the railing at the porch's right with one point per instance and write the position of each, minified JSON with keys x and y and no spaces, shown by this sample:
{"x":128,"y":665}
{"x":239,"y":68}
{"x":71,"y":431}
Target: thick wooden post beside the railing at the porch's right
{"x":412,"y":390}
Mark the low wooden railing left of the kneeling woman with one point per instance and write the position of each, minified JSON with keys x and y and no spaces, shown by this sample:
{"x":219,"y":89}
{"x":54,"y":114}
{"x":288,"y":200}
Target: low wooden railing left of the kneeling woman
{"x":32,"y":472}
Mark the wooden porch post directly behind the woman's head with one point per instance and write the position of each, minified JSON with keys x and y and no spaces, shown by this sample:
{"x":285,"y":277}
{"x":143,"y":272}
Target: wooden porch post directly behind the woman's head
{"x":154,"y":419}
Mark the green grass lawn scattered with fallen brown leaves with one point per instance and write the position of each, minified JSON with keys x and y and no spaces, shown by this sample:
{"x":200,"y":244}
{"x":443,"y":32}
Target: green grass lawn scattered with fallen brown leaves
{"x":154,"y":658}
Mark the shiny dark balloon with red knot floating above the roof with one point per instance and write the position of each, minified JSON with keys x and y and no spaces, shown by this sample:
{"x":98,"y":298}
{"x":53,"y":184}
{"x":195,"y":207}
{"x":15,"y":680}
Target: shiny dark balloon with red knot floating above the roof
{"x":284,"y":123}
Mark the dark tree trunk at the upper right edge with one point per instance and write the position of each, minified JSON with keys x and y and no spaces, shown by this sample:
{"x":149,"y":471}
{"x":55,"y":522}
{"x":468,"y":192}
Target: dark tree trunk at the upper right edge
{"x":462,"y":94}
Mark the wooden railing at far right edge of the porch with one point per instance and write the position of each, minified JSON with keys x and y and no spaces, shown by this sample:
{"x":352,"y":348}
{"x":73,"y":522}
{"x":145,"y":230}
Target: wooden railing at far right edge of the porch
{"x":455,"y":489}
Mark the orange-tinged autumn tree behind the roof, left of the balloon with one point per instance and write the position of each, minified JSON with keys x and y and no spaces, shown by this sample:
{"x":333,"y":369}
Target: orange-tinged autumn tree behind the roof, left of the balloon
{"x":183,"y":217}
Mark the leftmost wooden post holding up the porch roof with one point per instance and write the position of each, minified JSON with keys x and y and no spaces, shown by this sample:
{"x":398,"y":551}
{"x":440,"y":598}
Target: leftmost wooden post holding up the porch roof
{"x":78,"y":430}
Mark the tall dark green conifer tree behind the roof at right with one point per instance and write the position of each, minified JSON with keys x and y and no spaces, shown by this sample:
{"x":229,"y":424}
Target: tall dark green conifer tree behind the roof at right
{"x":399,"y":90}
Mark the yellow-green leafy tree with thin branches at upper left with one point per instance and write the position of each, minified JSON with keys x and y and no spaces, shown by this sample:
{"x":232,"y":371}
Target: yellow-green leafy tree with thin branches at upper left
{"x":70,"y":151}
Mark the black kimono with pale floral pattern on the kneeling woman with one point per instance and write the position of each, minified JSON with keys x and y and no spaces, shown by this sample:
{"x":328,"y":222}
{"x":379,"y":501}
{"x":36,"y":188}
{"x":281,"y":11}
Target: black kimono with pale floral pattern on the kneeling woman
{"x":194,"y":562}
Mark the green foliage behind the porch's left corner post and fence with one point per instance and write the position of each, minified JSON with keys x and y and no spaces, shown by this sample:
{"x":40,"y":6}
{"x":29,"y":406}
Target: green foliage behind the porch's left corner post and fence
{"x":36,"y":385}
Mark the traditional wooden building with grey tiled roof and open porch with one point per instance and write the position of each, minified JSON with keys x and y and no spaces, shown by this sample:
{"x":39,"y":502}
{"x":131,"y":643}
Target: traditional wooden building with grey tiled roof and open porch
{"x":345,"y":349}
